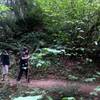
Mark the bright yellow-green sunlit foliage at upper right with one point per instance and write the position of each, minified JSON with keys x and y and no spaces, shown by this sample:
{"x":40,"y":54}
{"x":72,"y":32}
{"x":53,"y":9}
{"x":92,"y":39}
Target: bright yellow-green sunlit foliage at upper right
{"x":68,"y":15}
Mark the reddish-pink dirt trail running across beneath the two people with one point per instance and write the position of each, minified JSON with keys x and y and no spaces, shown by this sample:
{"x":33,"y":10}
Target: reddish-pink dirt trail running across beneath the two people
{"x":51,"y":83}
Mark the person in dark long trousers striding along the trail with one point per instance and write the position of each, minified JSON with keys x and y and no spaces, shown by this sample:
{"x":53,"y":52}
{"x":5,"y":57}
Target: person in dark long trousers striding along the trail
{"x":24,"y":56}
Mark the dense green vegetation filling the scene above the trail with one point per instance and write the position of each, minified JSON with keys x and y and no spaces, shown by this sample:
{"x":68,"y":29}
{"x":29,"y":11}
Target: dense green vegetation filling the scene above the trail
{"x":55,"y":31}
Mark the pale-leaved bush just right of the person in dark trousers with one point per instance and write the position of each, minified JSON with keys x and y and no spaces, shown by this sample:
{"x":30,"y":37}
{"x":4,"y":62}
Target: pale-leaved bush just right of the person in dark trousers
{"x":39,"y":59}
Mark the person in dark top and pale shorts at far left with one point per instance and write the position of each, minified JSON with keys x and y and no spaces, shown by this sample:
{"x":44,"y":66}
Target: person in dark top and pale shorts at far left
{"x":5,"y":61}
